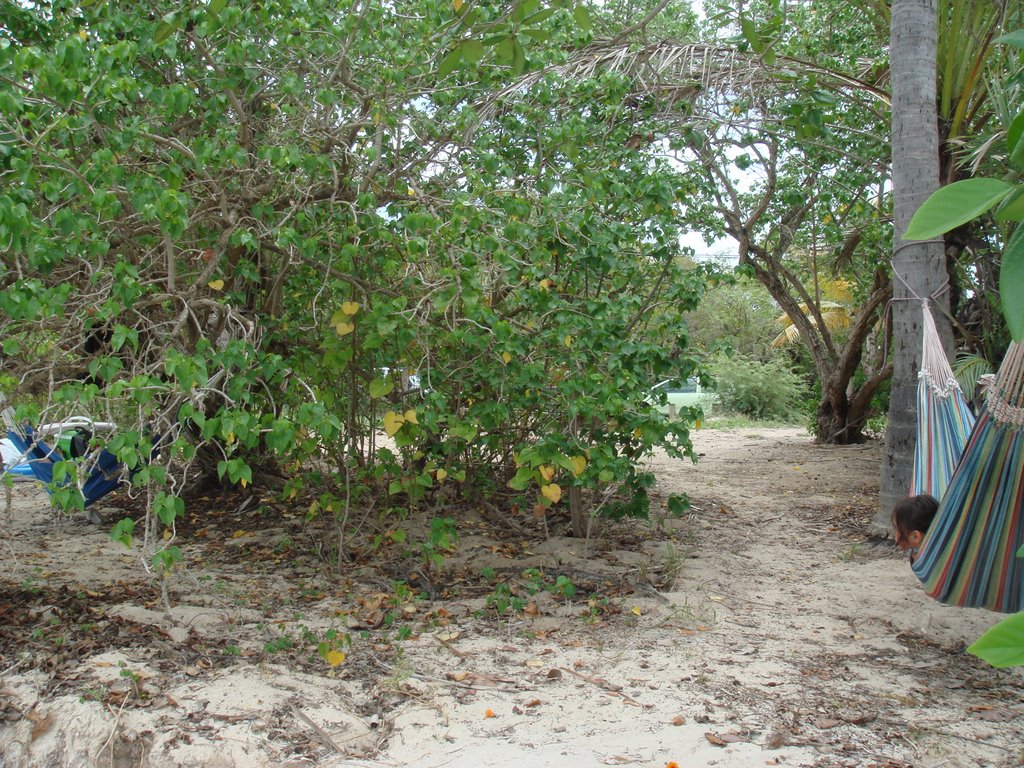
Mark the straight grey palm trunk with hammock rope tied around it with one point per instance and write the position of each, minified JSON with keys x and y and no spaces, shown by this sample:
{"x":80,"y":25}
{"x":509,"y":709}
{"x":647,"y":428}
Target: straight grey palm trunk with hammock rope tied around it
{"x":919,"y":268}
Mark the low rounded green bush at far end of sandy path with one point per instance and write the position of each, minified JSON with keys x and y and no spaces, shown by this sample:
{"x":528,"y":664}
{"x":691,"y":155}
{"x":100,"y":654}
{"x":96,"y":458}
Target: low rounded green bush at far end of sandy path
{"x":760,"y":391}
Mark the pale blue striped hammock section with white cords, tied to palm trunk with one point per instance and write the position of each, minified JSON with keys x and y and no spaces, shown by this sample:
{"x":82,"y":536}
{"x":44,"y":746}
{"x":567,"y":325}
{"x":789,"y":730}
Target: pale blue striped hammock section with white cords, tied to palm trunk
{"x":945,"y":420}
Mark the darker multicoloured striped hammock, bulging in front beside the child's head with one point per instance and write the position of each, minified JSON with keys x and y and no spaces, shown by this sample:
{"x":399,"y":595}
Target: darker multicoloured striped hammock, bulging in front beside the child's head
{"x":970,"y":553}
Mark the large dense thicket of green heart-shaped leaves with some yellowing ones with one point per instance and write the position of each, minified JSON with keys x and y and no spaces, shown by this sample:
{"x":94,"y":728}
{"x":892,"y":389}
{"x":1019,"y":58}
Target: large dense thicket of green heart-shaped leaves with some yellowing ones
{"x":252,"y":265}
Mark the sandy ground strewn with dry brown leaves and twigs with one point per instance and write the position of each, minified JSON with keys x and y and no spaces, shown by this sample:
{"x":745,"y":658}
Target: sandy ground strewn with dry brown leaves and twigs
{"x":764,"y":628}
